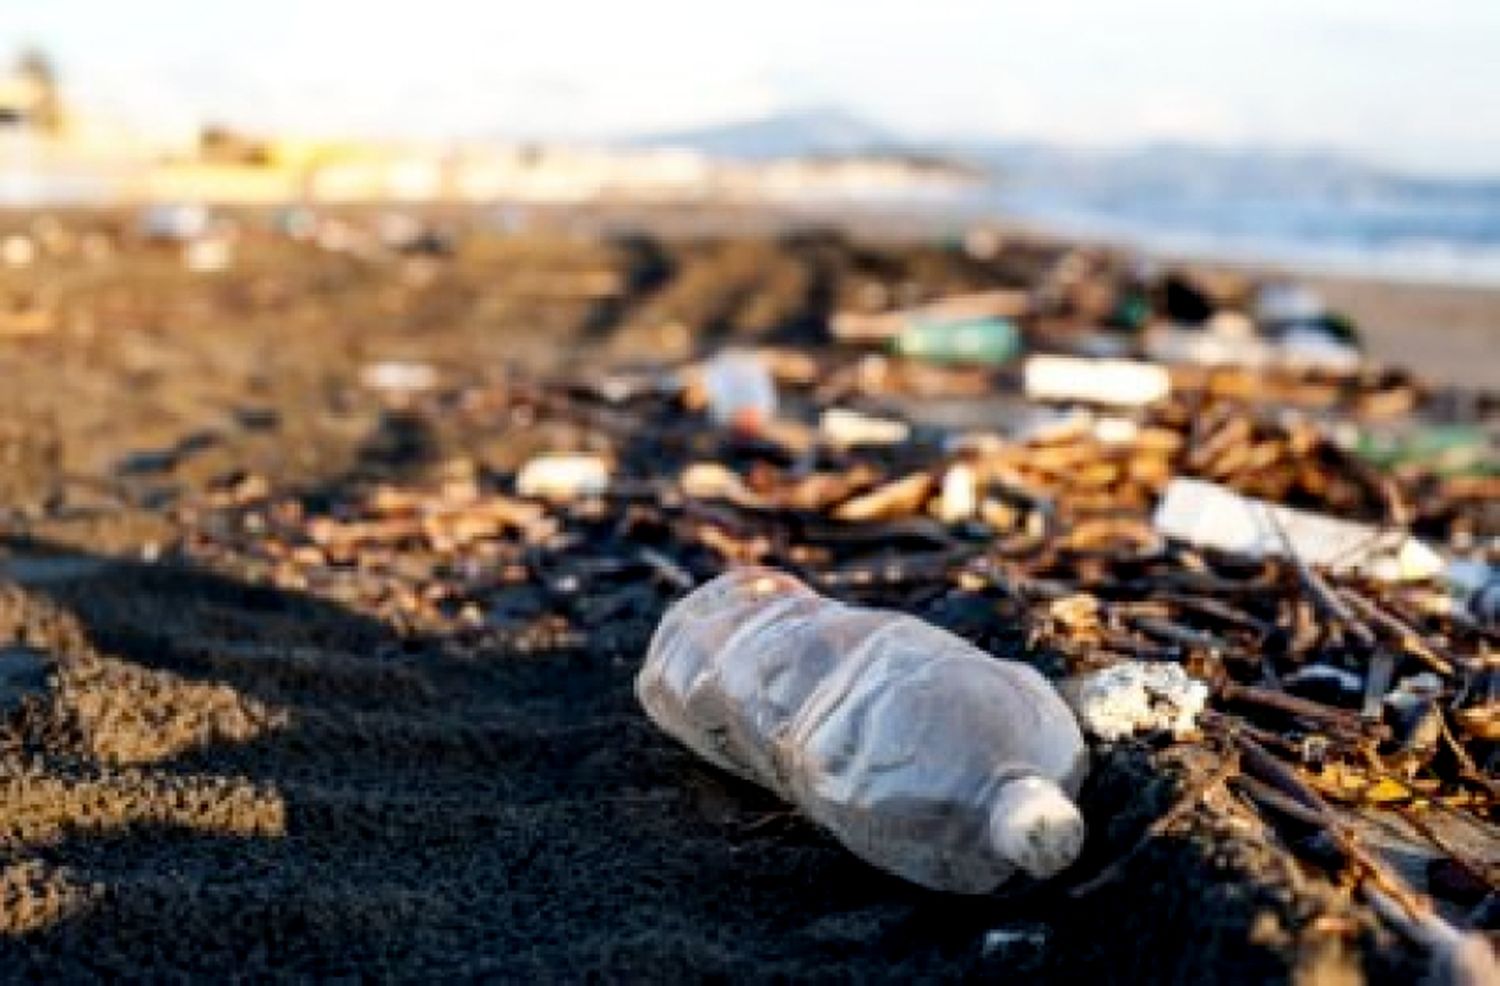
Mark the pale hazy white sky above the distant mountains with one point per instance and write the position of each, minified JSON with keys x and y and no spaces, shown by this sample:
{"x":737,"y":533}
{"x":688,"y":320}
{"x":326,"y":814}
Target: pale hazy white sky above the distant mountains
{"x":1402,"y":83}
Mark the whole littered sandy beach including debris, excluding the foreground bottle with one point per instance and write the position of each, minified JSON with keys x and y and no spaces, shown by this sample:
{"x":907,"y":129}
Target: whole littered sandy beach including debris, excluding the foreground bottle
{"x":326,"y":576}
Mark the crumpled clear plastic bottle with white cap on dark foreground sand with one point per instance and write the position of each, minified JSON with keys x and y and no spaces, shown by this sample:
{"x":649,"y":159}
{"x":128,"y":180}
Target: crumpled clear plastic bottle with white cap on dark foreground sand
{"x":920,"y":753}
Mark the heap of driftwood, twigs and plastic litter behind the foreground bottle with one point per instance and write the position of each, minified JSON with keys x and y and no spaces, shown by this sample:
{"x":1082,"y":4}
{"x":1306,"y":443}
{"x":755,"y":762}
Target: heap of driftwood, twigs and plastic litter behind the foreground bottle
{"x":1111,"y":516}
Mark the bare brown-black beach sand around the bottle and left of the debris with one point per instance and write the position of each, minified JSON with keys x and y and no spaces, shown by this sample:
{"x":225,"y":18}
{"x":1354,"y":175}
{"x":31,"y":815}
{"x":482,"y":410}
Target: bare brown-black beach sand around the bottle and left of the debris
{"x":226,"y":780}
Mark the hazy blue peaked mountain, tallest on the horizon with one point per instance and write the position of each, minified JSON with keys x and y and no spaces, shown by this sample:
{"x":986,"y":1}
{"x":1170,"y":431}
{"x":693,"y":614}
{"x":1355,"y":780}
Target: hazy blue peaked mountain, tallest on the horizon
{"x":812,"y":133}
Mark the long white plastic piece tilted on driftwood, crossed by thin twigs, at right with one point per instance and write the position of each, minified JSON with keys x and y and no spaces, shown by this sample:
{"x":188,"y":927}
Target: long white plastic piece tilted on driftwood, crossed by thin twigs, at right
{"x":1210,"y":516}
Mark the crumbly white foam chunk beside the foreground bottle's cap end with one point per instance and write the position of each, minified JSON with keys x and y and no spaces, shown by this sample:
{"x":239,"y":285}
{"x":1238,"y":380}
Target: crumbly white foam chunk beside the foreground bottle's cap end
{"x":1133,"y":697}
